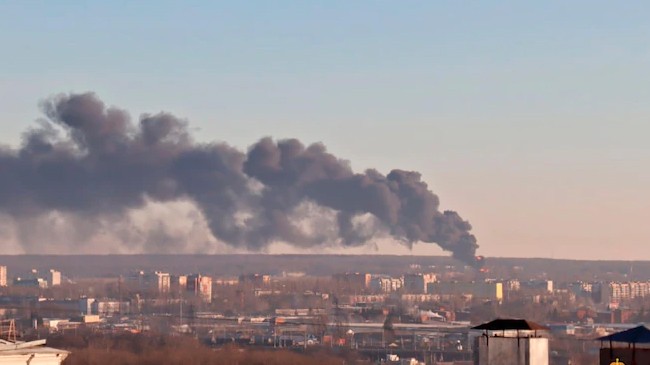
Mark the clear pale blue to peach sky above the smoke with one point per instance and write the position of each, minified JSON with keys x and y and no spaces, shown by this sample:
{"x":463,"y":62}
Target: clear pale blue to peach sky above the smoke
{"x":528,"y":118}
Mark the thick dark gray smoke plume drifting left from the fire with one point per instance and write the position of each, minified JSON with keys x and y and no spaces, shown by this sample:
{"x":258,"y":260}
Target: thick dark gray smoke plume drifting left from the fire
{"x":87,"y":159}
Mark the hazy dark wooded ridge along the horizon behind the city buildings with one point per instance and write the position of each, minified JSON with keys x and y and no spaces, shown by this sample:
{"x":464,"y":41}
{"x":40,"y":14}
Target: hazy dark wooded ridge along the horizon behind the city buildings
{"x":319,"y":265}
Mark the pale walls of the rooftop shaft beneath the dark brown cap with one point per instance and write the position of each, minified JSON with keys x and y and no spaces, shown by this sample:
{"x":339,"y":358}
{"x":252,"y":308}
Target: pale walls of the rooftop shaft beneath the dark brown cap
{"x":512,"y":351}
